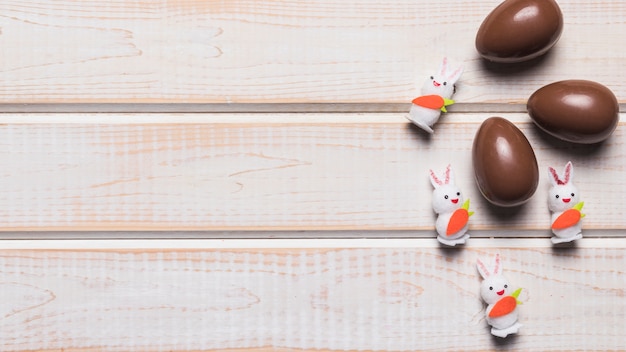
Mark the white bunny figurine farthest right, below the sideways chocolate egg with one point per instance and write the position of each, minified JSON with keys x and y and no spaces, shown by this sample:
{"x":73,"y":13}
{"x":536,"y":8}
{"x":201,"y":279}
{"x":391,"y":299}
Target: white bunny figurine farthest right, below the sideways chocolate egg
{"x":564,"y":203}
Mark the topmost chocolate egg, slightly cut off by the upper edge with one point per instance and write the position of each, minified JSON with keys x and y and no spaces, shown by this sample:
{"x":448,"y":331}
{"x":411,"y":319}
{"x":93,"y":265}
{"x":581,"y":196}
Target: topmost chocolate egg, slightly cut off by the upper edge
{"x":519,"y":30}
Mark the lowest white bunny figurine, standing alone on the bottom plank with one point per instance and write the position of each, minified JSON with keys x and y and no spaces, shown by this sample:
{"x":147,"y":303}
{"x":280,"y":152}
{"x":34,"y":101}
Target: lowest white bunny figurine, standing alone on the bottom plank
{"x":495,"y":290}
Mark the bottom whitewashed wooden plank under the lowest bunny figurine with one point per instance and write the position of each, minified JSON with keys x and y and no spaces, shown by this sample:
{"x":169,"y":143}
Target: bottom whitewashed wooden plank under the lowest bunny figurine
{"x":393,"y":299}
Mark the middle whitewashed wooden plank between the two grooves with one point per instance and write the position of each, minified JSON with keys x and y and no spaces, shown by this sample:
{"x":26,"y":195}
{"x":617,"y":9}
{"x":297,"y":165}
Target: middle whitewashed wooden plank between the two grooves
{"x":279,"y":172}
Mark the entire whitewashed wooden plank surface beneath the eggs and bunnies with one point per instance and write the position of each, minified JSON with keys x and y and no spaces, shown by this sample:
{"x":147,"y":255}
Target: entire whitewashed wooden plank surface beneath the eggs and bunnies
{"x":239,"y":176}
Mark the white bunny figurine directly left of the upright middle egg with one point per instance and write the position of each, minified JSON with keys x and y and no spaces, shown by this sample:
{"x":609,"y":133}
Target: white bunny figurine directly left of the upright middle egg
{"x":453,"y":215}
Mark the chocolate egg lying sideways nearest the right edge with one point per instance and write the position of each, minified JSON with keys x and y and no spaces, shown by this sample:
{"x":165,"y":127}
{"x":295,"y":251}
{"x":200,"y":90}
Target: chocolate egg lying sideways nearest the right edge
{"x":577,"y":111}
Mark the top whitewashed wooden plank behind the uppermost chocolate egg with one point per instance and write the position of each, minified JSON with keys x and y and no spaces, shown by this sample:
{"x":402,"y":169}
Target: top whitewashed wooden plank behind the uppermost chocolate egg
{"x":238,"y":52}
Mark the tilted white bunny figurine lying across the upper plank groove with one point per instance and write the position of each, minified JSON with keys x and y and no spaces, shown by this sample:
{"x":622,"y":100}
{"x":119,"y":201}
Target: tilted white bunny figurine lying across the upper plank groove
{"x":436,"y":95}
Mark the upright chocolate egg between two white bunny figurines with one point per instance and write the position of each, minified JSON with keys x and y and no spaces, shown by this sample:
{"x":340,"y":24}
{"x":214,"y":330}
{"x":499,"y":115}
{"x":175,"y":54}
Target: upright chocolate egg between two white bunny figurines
{"x":505,"y":165}
